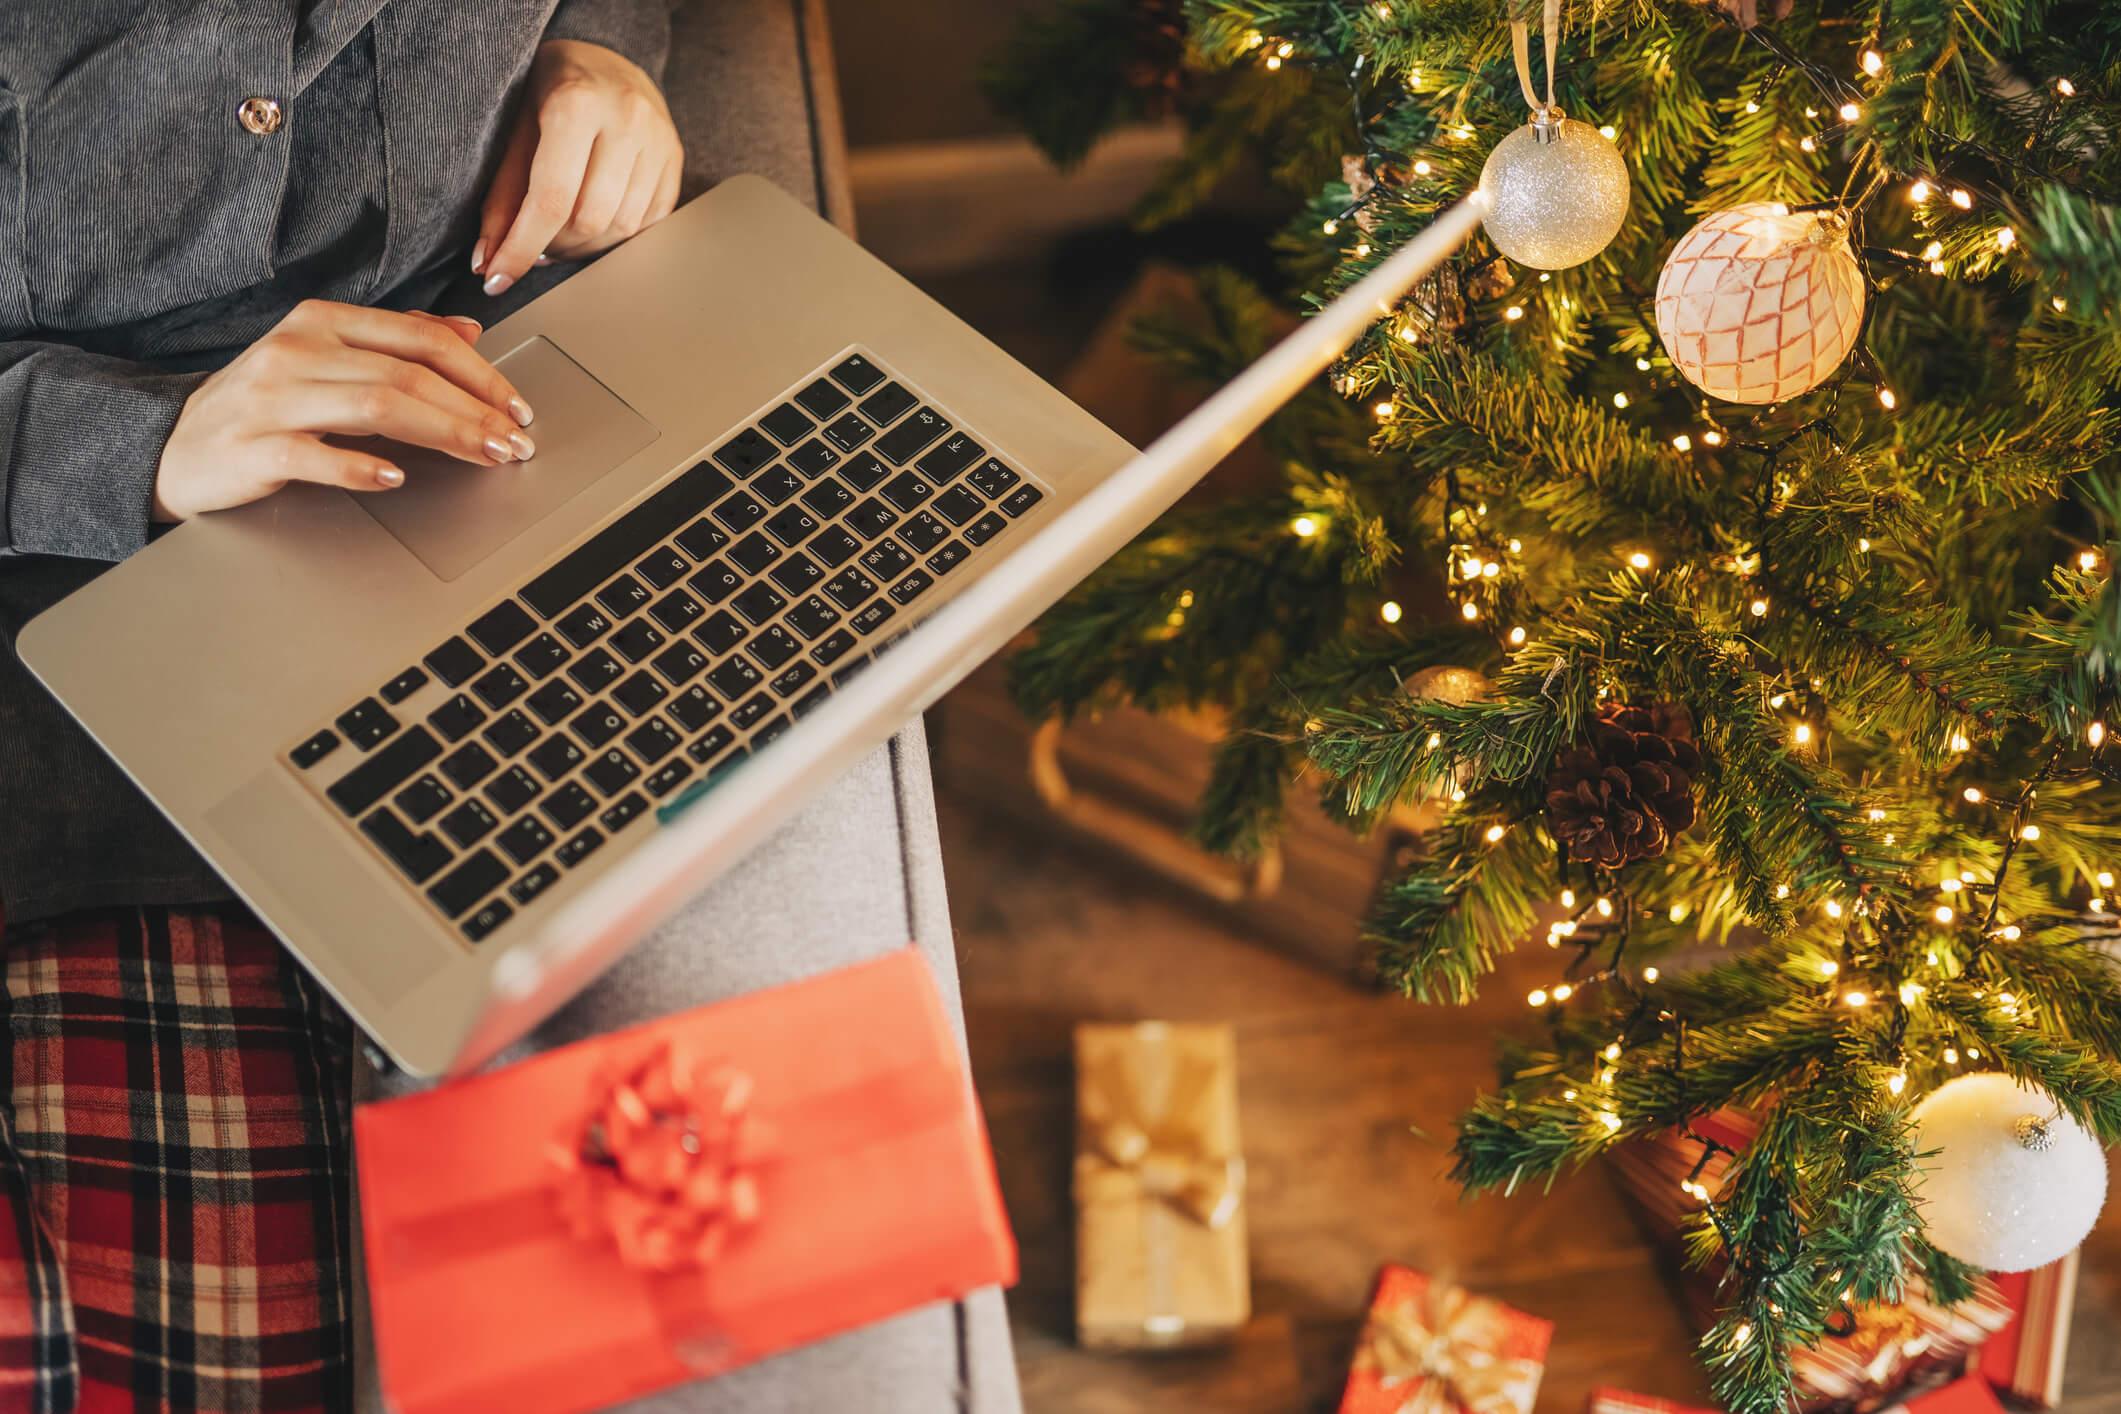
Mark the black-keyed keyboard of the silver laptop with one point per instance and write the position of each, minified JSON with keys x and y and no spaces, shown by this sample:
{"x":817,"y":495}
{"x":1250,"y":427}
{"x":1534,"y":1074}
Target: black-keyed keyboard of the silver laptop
{"x":665,"y":648}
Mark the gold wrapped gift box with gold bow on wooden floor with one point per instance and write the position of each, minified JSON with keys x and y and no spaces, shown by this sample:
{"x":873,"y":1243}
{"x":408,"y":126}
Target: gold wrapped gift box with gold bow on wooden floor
{"x":1159,"y":1186}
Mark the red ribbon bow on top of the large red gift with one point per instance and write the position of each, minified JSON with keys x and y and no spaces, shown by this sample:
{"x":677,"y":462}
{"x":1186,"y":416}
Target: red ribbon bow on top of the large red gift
{"x":665,"y":1163}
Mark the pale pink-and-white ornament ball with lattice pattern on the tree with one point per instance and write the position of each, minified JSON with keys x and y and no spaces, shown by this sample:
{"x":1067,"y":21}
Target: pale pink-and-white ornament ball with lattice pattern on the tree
{"x":1759,"y":304}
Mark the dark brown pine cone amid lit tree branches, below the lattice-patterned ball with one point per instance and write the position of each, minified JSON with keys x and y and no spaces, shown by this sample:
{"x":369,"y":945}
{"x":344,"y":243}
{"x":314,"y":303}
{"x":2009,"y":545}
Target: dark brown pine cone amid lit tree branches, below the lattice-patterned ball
{"x":1630,"y":790}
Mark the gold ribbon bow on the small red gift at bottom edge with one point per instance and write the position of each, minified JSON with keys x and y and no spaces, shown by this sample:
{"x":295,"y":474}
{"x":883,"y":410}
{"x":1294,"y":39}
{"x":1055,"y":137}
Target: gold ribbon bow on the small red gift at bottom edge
{"x":1448,"y":1345}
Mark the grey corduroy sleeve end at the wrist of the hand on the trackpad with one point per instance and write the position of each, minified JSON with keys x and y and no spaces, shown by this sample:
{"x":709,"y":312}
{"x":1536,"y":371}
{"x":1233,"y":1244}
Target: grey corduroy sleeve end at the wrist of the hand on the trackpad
{"x":80,"y":442}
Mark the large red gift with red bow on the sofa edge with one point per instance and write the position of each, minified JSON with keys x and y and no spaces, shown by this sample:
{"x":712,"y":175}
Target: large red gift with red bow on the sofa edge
{"x":678,"y":1199}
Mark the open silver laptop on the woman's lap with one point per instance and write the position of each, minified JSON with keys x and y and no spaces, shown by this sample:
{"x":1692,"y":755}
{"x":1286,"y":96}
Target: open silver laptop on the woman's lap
{"x":466,"y":743}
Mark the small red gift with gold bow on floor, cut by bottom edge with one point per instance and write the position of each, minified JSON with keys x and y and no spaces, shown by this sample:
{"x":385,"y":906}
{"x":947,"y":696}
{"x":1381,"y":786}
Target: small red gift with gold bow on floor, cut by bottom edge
{"x":1437,"y":1349}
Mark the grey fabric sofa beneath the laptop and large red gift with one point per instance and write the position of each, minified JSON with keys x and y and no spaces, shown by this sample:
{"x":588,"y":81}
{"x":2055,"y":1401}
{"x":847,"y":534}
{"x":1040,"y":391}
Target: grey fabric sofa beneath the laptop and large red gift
{"x":854,"y":874}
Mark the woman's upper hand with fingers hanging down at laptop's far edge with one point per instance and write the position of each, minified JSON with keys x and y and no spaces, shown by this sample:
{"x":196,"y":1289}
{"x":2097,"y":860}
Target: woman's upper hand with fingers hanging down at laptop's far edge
{"x":593,"y":162}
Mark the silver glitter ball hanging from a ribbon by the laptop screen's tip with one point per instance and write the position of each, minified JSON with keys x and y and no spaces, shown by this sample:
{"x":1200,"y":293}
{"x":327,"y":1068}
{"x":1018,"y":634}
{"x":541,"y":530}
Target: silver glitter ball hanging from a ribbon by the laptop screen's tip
{"x":1554,"y":202}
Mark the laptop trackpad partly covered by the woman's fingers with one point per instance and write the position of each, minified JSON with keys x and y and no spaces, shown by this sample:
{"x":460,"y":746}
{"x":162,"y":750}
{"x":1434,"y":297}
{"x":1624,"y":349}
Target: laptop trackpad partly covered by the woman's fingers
{"x":453,"y":514}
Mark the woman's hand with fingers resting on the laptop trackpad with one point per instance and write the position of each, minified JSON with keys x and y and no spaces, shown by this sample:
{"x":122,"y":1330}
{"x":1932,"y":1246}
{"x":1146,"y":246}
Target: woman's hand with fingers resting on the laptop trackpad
{"x":338,"y":370}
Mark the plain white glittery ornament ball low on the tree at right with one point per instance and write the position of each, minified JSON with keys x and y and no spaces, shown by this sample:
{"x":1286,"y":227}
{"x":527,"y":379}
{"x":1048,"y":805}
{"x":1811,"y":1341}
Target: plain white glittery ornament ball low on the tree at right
{"x":2012,"y":1184}
